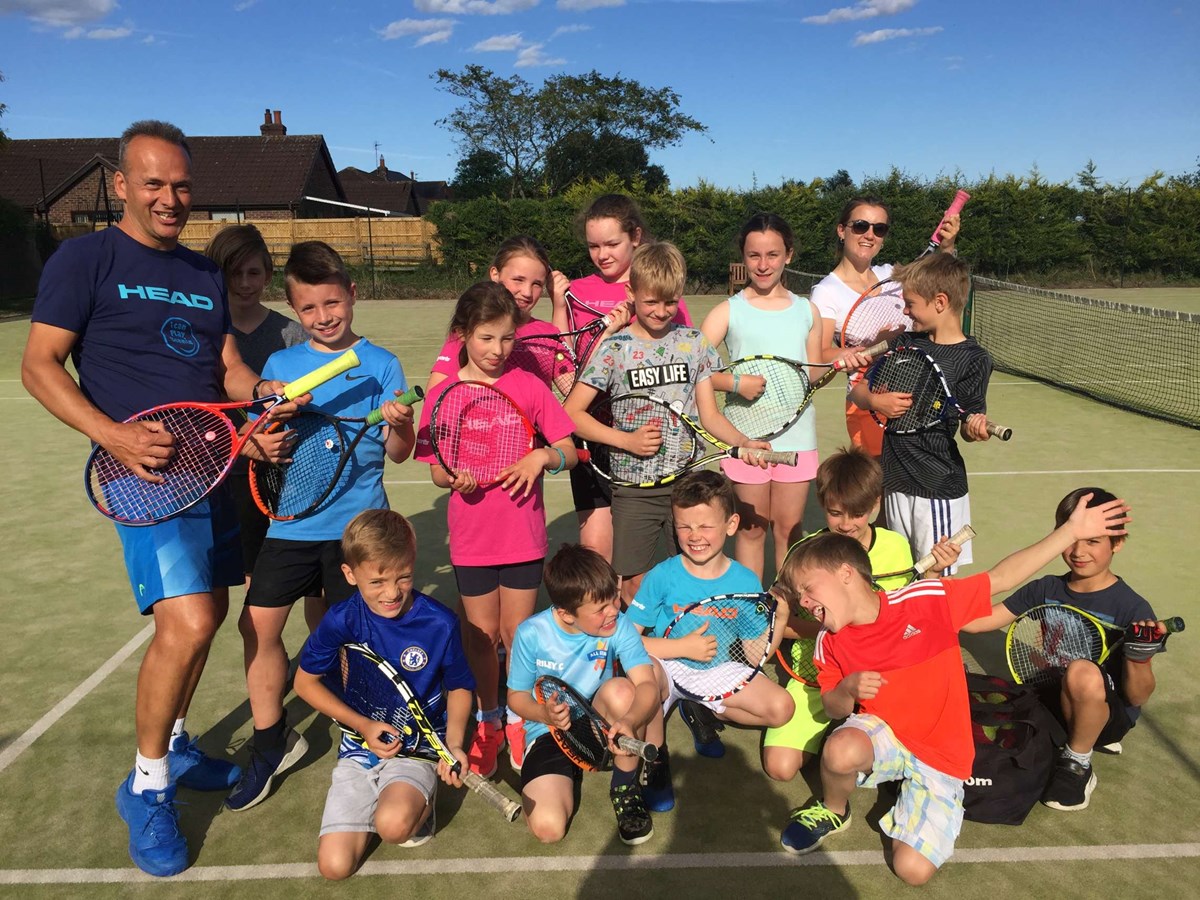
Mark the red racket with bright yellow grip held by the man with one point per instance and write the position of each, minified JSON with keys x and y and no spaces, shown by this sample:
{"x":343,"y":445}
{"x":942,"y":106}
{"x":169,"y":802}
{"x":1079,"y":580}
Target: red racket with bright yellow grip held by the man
{"x":206,"y":446}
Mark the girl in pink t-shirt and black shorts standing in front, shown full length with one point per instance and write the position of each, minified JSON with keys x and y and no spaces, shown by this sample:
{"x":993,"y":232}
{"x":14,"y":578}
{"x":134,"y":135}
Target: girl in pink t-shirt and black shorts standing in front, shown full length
{"x":497,"y":533}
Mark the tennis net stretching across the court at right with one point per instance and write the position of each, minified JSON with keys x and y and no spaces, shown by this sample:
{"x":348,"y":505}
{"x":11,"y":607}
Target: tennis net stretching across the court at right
{"x":1138,"y":358}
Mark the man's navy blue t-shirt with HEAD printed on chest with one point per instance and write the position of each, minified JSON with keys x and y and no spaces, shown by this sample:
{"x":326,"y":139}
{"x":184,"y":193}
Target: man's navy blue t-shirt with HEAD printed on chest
{"x":152,"y":323}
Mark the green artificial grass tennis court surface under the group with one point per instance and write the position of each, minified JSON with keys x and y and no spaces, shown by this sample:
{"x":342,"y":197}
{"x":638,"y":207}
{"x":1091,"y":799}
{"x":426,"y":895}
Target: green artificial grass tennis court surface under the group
{"x":69,"y":611}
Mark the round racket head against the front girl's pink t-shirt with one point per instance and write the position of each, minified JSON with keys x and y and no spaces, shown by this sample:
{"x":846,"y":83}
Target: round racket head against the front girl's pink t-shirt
{"x":478,"y":429}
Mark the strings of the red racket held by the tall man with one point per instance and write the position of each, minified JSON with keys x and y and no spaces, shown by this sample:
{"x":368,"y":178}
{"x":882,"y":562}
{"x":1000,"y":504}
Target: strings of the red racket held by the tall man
{"x":203,"y":449}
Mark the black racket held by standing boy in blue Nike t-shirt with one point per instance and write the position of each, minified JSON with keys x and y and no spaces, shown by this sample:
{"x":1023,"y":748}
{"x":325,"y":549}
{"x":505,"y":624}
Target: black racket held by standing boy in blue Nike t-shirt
{"x":323,"y":447}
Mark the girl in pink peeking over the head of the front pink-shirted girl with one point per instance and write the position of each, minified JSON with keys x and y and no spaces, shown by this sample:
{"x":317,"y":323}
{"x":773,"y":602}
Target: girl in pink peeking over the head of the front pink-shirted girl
{"x":523,"y":266}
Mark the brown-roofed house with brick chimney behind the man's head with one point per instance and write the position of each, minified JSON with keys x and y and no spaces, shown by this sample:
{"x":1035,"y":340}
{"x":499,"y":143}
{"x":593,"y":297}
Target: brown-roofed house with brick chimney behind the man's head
{"x":70,"y":181}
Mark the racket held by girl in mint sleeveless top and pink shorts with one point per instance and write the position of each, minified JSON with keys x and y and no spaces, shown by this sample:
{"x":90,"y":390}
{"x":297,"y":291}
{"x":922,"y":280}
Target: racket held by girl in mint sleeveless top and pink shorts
{"x":787,"y":393}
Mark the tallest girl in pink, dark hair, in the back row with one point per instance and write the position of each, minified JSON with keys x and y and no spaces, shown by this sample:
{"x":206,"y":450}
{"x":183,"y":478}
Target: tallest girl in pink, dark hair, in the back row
{"x":614,"y":230}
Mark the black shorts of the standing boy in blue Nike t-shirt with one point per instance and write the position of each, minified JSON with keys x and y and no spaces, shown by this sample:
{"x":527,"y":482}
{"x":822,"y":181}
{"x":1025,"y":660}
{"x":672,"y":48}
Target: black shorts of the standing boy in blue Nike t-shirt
{"x":289,"y":571}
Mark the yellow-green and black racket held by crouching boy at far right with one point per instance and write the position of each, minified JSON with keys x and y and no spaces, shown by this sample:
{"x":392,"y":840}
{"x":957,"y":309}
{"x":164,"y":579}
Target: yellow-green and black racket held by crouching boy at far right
{"x":1043,"y":641}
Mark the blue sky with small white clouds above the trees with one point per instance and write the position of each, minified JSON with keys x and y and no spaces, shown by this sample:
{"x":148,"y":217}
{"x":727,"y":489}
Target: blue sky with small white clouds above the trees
{"x":788,"y":89}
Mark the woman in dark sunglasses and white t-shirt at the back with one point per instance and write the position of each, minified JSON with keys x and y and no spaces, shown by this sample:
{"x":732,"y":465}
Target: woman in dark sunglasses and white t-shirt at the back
{"x":862,"y":227}
